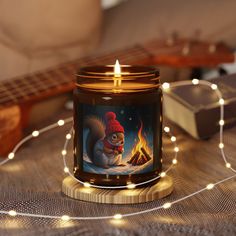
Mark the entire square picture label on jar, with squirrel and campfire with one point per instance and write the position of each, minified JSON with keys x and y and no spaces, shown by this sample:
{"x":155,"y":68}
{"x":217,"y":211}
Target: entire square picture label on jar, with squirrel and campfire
{"x":119,"y":140}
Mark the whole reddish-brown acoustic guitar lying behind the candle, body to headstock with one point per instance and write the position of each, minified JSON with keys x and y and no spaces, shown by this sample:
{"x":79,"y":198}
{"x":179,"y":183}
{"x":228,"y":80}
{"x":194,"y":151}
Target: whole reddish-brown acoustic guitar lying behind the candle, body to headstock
{"x":17,"y":95}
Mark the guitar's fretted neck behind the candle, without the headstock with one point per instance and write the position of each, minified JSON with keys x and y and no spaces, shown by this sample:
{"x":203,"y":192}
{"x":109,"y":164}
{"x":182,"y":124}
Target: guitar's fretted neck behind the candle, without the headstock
{"x":60,"y":79}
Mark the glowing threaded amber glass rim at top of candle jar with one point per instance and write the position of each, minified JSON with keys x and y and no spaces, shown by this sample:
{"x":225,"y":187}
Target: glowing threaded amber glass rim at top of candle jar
{"x":133,"y":78}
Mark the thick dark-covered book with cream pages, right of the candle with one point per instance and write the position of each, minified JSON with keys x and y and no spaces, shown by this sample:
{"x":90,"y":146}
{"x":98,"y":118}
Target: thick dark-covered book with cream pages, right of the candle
{"x":196,"y":109}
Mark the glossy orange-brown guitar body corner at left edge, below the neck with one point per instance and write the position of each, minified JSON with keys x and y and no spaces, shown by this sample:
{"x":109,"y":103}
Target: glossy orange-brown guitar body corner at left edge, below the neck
{"x":10,"y":128}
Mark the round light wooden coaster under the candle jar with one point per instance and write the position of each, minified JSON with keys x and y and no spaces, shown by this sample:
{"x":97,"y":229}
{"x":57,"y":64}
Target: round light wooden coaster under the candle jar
{"x":75,"y":190}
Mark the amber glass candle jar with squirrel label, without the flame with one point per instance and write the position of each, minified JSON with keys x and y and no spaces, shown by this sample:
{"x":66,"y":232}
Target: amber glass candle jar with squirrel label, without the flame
{"x":117,"y":125}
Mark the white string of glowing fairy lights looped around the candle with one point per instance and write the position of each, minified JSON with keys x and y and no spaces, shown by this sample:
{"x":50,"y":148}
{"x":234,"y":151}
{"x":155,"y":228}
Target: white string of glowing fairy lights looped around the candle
{"x":176,"y":149}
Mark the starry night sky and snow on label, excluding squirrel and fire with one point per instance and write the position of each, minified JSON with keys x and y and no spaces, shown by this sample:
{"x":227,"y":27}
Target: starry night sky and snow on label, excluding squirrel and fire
{"x":130,"y":117}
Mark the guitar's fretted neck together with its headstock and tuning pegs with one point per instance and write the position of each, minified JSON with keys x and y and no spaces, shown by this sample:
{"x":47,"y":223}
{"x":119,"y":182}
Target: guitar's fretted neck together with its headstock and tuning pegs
{"x":178,"y":53}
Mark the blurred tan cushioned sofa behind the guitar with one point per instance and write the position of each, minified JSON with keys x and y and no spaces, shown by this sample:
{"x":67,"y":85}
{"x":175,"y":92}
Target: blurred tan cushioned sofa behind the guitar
{"x":38,"y":34}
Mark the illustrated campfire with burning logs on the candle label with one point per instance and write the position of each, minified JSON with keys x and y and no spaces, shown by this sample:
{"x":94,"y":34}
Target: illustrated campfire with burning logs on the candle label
{"x":140,"y":152}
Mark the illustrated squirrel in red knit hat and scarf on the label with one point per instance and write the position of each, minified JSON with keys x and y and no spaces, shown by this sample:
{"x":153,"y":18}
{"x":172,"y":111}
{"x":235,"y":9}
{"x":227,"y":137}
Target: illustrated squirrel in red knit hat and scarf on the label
{"x":105,"y":142}
